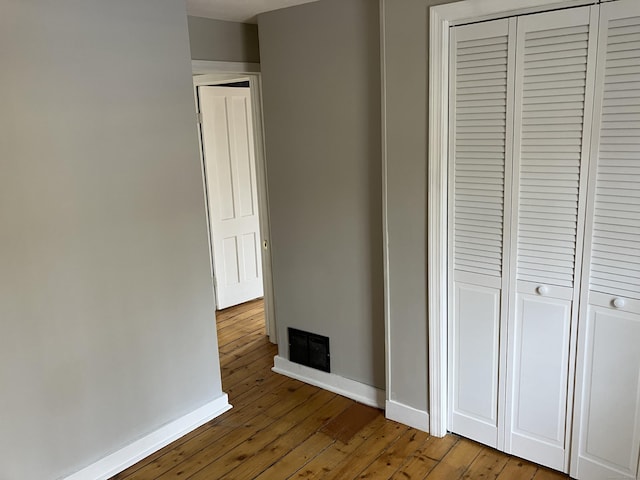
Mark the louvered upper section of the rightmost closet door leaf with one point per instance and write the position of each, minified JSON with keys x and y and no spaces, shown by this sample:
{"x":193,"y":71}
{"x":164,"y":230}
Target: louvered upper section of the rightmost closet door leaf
{"x":615,"y":257}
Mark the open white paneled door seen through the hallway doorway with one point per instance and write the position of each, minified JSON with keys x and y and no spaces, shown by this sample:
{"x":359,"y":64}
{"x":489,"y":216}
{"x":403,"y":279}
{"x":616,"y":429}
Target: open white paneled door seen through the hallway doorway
{"x":227,"y":139}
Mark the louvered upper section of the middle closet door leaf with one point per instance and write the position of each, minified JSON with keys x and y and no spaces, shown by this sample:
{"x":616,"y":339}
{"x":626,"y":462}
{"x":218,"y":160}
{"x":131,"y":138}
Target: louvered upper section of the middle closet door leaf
{"x":552,"y":91}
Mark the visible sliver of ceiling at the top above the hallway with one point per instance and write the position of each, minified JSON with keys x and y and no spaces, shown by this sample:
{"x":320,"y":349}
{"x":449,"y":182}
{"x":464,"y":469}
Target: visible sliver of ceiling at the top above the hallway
{"x":244,"y":11}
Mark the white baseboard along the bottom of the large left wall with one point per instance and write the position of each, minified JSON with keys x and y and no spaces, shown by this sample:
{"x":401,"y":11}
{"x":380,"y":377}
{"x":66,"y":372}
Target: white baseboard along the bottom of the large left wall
{"x":142,"y":448}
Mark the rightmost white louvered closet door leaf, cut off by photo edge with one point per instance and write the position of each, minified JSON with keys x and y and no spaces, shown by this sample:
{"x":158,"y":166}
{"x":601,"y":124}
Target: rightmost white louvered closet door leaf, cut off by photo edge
{"x":607,"y":421}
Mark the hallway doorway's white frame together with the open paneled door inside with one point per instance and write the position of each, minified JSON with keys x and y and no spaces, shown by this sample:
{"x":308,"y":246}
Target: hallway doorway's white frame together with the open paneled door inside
{"x":232,"y":153}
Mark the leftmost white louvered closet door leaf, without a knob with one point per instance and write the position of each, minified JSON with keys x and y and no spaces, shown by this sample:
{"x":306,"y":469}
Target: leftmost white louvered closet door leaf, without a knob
{"x":481,"y":94}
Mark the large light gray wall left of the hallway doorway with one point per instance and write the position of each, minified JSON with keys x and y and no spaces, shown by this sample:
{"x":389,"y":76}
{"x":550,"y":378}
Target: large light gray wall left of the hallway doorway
{"x":106,"y":306}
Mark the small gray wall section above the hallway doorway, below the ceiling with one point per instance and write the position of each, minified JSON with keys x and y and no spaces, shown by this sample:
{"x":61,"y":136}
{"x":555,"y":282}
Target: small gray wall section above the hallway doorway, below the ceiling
{"x":221,"y":41}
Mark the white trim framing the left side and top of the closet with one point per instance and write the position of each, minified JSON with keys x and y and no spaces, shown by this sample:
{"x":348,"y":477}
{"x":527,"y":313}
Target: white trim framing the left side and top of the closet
{"x":441,"y":18}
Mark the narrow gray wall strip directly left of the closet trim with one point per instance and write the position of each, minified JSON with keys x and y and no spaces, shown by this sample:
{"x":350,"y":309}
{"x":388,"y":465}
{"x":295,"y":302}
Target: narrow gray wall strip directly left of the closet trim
{"x":406,"y":57}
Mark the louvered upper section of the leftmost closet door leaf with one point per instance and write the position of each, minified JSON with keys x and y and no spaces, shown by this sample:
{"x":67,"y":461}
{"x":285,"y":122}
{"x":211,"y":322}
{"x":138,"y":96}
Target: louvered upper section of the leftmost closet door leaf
{"x":479,"y":160}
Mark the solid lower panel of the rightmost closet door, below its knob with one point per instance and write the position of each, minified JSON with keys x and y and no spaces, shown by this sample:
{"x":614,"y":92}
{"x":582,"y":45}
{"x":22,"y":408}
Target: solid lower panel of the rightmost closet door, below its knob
{"x":609,"y":421}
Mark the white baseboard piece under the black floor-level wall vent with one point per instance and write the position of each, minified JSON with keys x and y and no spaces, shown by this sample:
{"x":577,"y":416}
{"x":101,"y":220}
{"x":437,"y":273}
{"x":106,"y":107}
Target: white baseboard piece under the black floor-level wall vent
{"x":357,"y":391}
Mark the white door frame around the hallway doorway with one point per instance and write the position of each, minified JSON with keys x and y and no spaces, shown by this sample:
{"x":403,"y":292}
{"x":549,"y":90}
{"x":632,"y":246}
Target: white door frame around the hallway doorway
{"x":207,"y":73}
